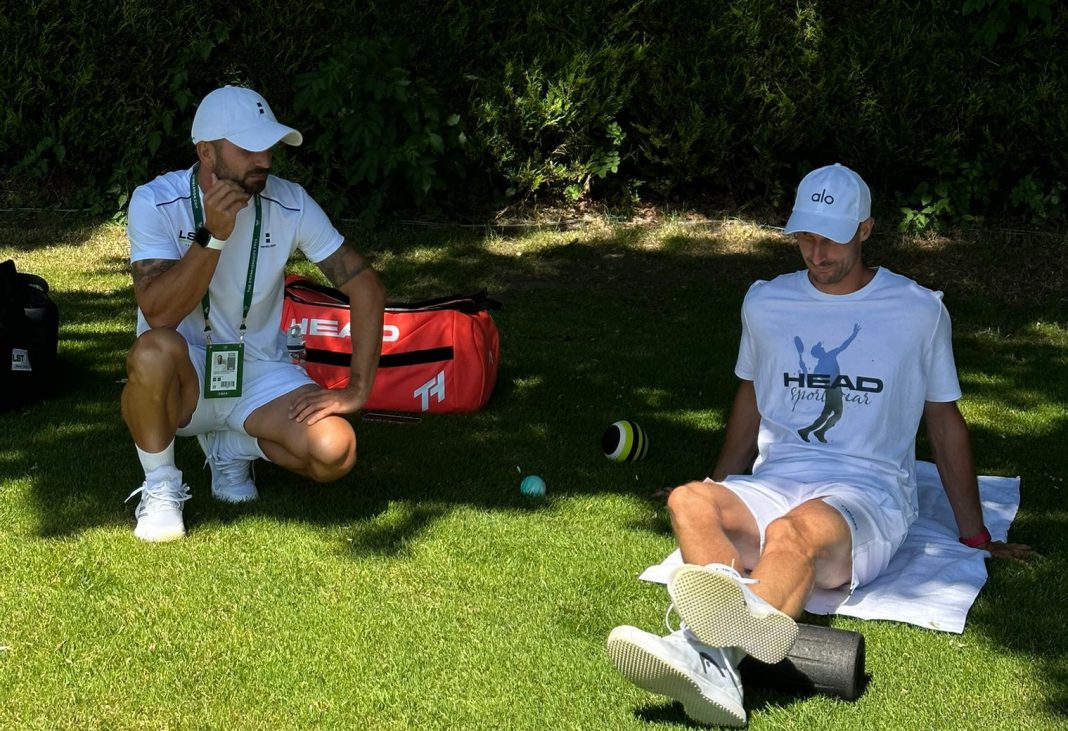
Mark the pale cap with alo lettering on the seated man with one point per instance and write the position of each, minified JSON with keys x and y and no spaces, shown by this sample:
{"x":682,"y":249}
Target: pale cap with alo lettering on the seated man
{"x":833,"y":201}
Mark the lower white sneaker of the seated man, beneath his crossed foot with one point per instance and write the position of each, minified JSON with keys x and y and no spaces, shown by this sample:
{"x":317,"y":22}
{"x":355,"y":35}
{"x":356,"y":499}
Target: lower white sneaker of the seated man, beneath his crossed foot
{"x":701,"y":678}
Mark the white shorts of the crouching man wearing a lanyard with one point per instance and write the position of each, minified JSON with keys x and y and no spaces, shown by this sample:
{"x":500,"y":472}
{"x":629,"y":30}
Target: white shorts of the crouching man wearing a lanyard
{"x":264,"y":381}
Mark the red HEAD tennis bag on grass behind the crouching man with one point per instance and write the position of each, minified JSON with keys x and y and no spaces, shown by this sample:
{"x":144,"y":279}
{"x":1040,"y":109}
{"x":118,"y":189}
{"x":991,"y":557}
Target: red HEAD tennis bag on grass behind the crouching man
{"x":438,"y":356}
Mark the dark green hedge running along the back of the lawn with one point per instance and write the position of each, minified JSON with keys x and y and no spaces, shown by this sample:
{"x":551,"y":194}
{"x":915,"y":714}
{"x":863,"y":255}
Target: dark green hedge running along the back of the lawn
{"x":950,"y":110}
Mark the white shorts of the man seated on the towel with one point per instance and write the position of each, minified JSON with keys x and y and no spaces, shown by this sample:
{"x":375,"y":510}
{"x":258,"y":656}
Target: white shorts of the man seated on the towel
{"x":877,"y":525}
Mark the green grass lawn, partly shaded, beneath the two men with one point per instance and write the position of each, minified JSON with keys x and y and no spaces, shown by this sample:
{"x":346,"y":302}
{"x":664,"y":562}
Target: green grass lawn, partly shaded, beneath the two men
{"x":423,"y":590}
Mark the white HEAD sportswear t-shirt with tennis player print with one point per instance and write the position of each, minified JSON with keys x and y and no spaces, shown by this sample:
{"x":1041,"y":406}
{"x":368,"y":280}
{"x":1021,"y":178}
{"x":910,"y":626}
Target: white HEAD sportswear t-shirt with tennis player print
{"x":841,"y":381}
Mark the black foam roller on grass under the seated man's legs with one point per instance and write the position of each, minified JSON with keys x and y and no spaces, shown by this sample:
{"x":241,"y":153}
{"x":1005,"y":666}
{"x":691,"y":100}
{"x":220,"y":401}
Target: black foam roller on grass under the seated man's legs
{"x":823,"y":661}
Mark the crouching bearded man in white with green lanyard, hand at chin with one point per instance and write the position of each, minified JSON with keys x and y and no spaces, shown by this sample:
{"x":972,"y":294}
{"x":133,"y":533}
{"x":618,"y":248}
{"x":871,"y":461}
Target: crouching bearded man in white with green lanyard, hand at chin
{"x":209,"y":248}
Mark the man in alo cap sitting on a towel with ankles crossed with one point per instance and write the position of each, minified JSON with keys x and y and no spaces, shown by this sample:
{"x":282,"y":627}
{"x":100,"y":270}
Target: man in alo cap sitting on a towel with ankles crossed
{"x":833,"y":491}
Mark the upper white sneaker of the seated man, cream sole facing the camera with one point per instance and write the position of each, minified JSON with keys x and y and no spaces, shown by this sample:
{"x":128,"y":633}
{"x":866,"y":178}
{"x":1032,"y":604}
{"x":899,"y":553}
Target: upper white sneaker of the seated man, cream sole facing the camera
{"x":717,"y":606}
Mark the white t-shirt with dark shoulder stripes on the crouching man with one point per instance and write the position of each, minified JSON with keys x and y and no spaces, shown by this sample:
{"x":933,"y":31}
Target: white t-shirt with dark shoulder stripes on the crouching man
{"x":162,"y":227}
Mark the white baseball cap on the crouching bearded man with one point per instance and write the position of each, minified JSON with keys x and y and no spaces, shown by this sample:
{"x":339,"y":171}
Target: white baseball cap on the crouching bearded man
{"x":244,"y":118}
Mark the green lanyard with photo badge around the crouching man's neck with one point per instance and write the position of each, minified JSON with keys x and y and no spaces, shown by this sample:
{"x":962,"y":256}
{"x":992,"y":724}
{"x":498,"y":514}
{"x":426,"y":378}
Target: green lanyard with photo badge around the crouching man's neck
{"x":223,"y":376}
